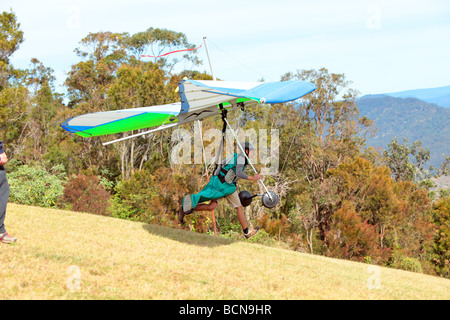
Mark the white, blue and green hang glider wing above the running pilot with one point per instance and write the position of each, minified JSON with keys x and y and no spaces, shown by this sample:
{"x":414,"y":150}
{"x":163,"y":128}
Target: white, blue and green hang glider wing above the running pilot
{"x":199,"y":99}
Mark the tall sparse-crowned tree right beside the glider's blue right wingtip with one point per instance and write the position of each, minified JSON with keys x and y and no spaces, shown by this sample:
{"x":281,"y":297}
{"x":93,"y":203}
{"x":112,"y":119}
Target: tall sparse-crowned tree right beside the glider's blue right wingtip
{"x":321,"y":133}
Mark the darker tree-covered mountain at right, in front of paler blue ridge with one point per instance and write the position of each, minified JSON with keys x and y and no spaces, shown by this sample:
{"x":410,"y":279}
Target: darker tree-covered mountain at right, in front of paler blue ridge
{"x":409,"y":118}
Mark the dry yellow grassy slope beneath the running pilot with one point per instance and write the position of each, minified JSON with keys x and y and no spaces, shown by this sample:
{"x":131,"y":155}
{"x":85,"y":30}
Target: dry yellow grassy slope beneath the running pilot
{"x":119,"y":259}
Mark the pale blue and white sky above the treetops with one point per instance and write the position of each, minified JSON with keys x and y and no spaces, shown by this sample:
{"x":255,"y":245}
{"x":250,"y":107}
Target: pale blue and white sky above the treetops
{"x":381,"y":46}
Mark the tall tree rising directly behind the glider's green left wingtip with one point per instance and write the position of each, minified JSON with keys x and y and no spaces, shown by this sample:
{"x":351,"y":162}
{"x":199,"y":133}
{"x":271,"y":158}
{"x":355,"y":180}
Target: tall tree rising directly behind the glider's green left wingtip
{"x":88,"y":84}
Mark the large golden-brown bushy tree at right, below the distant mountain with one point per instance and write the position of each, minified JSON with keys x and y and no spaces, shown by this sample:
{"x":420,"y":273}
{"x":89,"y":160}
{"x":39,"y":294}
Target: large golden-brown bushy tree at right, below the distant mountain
{"x":398,"y":211}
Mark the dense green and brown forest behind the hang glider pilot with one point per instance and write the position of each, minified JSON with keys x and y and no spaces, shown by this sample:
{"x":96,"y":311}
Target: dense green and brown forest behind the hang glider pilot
{"x":338,"y":197}
